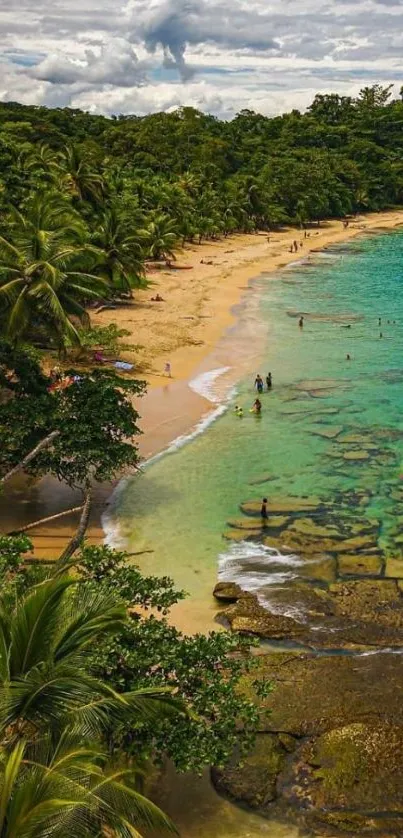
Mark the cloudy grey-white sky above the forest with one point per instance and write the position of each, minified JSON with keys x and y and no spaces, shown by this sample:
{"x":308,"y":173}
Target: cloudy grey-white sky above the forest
{"x":111,"y":56}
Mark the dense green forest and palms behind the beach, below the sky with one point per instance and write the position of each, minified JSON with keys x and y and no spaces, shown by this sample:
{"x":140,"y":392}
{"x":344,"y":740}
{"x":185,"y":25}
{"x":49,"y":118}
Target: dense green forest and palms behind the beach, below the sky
{"x":86,"y":201}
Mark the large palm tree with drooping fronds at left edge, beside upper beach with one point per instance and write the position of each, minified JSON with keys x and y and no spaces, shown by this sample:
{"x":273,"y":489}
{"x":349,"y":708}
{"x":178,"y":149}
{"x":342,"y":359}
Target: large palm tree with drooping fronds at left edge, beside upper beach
{"x":44,"y":272}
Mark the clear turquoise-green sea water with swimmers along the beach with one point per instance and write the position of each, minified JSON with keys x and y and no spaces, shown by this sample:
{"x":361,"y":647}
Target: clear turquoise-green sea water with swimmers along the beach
{"x":179,"y":508}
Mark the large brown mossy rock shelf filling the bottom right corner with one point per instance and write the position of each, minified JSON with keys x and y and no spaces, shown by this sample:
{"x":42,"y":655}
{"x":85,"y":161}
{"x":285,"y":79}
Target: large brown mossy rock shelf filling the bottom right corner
{"x":337,"y":763}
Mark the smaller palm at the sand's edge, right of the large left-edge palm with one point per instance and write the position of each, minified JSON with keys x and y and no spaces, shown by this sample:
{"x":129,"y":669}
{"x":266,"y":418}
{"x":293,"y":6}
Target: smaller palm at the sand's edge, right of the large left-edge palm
{"x":123,"y":262}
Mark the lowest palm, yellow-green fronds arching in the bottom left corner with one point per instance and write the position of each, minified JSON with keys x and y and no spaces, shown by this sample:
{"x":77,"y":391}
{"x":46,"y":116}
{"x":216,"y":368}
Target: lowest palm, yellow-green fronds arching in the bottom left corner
{"x":64,"y":786}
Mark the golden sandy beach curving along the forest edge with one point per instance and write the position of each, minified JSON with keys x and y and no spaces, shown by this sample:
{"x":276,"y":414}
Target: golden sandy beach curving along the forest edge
{"x":199,"y":304}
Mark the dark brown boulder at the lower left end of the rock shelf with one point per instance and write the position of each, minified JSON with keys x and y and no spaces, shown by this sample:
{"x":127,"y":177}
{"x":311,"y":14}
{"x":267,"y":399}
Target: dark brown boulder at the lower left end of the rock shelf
{"x":254,"y":782}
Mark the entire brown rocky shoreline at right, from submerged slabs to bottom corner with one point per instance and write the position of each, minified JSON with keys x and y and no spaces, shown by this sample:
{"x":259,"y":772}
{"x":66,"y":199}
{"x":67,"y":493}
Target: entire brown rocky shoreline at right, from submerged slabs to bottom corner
{"x":329,"y":752}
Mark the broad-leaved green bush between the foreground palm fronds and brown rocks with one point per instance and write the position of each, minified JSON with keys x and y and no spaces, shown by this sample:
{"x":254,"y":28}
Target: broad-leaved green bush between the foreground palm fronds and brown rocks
{"x":205,"y":671}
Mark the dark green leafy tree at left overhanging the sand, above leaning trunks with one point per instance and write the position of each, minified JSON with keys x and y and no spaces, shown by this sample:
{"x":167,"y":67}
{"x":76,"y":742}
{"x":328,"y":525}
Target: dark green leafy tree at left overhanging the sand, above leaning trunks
{"x":94,"y":418}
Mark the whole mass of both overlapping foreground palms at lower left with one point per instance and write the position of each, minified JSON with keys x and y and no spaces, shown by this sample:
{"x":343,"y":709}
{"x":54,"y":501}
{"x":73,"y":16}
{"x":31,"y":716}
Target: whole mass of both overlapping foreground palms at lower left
{"x":57,"y":774}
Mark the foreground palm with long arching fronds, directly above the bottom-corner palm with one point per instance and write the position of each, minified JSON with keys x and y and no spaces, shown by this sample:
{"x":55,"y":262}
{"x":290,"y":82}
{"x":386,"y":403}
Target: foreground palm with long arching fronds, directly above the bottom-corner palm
{"x":45,"y":681}
